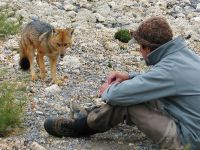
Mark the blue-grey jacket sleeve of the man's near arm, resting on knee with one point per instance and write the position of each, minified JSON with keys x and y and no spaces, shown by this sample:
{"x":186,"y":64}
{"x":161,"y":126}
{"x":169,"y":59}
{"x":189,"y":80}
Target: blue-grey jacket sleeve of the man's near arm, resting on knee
{"x":152,"y":85}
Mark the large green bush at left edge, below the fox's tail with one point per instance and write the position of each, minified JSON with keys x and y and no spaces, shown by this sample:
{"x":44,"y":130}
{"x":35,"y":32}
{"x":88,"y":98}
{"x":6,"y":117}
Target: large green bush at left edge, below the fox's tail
{"x":12,"y":102}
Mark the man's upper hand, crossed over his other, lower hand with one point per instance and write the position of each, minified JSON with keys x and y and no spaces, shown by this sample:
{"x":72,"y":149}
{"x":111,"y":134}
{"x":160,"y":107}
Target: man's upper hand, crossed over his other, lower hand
{"x":116,"y":76}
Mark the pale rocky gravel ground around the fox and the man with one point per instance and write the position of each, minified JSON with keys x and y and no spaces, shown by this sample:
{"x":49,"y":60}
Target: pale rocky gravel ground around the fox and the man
{"x":95,"y":53}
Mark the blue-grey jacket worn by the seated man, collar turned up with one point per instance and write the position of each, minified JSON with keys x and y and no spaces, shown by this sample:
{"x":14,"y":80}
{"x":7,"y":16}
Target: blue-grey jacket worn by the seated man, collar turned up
{"x":174,"y":79}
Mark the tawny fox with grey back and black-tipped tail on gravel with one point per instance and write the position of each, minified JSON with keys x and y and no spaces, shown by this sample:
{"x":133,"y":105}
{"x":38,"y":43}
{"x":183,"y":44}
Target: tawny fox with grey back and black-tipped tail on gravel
{"x":43,"y":38}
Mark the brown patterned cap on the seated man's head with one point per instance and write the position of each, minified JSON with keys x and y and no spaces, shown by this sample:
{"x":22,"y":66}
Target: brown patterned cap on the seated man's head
{"x":153,"y":32}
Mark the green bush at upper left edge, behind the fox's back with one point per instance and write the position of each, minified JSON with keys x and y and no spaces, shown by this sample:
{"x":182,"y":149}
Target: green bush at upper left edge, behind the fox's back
{"x":8,"y":27}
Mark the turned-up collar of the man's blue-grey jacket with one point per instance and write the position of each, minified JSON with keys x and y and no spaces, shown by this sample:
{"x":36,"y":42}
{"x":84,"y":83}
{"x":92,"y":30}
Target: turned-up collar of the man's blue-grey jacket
{"x":164,"y":50}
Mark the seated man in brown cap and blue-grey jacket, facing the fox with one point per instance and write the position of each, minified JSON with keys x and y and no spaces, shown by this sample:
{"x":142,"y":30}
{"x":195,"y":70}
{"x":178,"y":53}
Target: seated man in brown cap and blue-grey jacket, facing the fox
{"x":173,"y":82}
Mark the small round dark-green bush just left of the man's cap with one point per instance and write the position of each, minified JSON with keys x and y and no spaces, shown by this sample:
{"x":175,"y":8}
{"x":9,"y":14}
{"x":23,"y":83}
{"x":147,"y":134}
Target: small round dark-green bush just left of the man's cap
{"x":123,"y":35}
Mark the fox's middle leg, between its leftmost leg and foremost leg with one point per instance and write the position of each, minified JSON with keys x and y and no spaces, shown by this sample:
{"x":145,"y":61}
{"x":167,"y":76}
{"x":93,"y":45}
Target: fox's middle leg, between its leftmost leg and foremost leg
{"x":40,"y":61}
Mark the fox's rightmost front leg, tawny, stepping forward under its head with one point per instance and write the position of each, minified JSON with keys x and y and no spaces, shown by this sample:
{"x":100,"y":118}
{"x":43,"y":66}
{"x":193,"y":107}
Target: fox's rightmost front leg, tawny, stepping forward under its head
{"x":53,"y":62}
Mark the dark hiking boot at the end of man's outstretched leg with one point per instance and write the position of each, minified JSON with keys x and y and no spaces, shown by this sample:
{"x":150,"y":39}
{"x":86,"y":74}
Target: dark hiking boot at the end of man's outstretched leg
{"x":60,"y":127}
